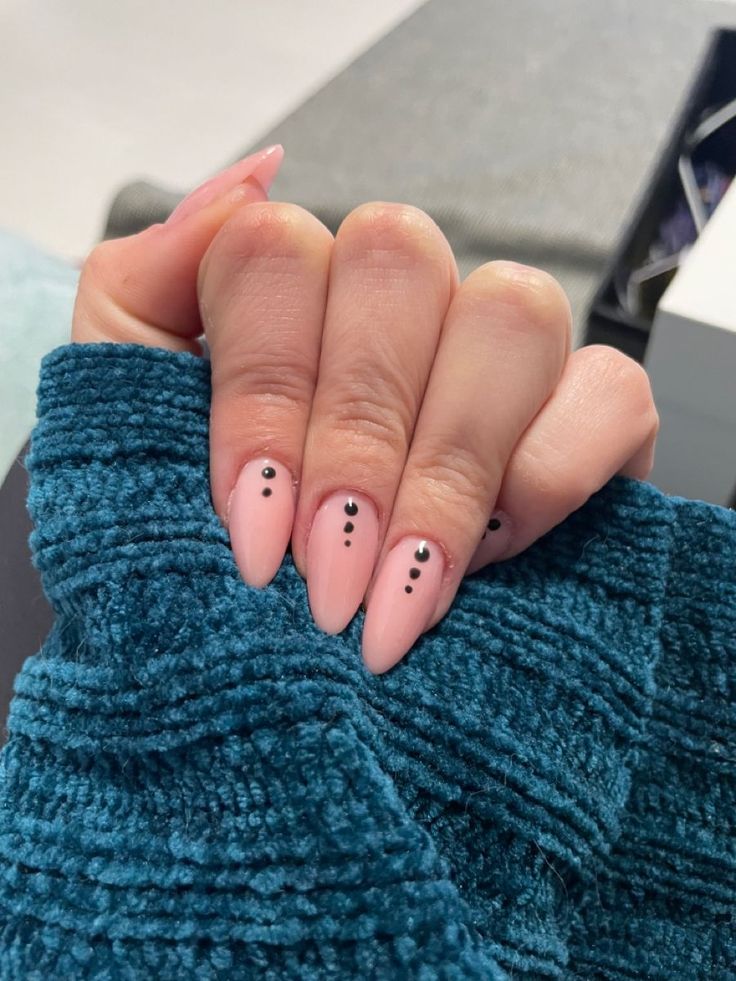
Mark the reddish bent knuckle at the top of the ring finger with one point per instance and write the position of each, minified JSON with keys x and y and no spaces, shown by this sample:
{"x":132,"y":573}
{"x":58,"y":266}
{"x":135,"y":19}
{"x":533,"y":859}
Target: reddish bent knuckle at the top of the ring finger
{"x":534,"y":298}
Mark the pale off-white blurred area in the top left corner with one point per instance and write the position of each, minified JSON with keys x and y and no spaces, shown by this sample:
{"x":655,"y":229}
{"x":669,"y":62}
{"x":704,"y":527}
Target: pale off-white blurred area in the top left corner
{"x":94,"y":95}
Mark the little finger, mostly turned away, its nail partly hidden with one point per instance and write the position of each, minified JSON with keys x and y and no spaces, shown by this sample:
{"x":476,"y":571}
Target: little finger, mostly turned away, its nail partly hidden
{"x":600,"y":421}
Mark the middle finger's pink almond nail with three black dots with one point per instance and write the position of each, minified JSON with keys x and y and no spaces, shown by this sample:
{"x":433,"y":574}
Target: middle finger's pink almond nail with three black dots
{"x":341,"y":555}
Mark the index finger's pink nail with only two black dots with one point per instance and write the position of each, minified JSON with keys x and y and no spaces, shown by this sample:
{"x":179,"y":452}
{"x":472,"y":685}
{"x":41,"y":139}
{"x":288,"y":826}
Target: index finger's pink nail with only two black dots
{"x":260,"y":519}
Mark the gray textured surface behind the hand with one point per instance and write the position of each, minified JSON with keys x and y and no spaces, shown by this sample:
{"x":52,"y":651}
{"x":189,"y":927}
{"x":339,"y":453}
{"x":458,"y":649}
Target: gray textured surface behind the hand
{"x":526,"y":129}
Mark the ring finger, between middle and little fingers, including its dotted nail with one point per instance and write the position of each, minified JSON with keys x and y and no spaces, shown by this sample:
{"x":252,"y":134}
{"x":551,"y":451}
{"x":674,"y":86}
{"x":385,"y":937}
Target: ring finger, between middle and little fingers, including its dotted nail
{"x":503,"y":348}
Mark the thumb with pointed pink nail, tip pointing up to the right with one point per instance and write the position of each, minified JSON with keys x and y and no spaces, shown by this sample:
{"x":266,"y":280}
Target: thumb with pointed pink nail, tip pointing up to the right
{"x":143,"y":289}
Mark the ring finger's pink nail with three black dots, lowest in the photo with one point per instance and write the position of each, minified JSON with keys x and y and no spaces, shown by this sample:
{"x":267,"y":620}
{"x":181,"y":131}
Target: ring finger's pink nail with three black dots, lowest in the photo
{"x":403,"y":600}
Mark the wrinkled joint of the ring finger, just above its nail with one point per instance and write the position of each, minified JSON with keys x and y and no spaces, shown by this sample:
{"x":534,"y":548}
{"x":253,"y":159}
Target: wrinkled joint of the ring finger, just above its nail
{"x":452,"y":475}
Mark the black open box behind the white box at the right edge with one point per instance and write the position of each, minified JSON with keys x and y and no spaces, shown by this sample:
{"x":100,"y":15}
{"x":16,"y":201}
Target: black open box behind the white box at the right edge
{"x":609,"y":322}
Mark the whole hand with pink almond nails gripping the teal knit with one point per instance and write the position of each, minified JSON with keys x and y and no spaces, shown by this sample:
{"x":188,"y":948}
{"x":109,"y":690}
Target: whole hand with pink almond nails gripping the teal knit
{"x":400,"y":427}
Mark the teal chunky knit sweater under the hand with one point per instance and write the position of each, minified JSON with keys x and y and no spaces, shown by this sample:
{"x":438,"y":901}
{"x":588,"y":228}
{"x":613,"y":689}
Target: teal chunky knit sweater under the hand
{"x":199,"y":784}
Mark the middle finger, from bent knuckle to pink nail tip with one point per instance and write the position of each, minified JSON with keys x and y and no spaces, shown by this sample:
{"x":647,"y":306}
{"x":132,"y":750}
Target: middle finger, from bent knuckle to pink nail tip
{"x":391,"y":280}
